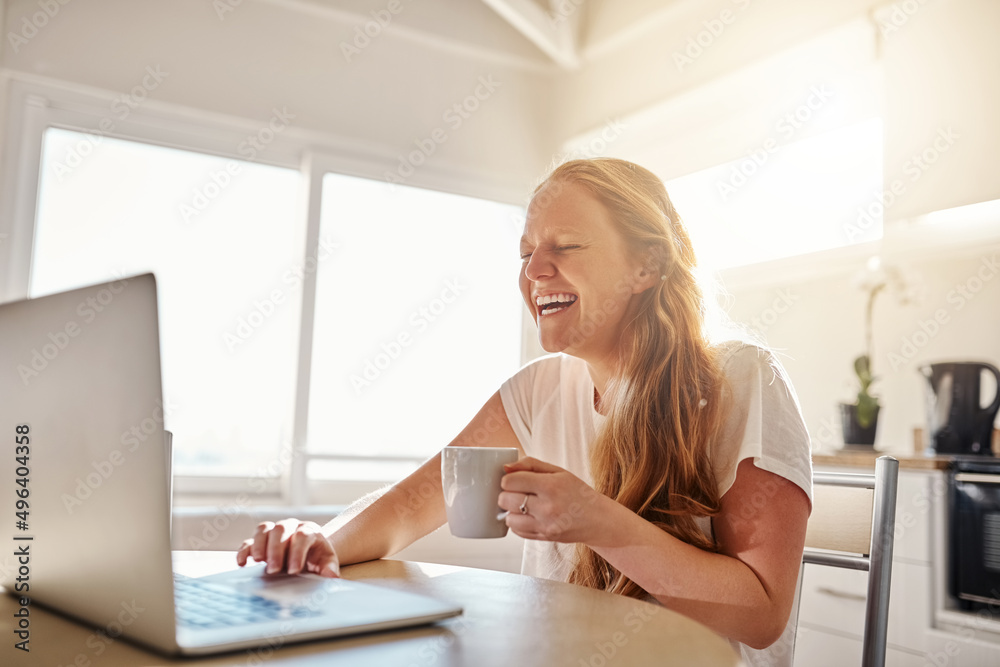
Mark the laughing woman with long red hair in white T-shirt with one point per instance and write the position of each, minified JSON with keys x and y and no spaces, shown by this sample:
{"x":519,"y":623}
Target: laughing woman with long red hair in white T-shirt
{"x":656,"y":465}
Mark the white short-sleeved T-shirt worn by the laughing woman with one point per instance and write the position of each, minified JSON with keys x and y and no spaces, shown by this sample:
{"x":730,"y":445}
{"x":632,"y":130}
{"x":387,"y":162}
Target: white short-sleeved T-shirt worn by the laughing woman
{"x":550,"y":406}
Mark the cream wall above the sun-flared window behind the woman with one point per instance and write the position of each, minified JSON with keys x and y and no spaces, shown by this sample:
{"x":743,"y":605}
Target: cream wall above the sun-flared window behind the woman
{"x":630,"y":70}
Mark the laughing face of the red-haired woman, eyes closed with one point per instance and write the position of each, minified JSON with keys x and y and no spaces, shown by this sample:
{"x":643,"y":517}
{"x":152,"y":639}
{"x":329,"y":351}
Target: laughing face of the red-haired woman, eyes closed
{"x":578,"y":276}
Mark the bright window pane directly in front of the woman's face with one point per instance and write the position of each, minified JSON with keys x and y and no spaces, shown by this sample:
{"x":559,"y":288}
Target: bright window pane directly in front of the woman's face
{"x":418,"y":319}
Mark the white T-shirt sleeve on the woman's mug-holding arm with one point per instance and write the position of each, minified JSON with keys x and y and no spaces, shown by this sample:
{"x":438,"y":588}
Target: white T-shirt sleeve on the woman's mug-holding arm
{"x":763,"y":420}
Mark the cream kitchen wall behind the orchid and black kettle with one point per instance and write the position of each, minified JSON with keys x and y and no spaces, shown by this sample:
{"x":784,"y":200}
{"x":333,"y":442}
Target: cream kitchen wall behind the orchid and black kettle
{"x":816,"y":325}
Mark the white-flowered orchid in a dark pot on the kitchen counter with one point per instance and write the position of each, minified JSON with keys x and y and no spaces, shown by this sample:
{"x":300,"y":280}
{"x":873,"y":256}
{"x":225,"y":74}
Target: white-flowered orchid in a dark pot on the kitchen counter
{"x":859,"y":420}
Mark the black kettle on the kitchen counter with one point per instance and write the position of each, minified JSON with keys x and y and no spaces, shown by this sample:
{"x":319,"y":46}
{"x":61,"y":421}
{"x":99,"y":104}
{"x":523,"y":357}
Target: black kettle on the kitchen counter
{"x":956,"y":421}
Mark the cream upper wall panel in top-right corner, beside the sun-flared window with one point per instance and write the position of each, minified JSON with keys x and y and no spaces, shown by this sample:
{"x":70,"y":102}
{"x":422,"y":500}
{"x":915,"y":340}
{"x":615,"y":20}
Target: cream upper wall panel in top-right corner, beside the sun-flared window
{"x":942,"y":68}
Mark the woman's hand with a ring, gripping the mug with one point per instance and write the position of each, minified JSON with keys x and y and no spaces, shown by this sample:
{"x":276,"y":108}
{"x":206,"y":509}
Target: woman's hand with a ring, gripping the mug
{"x":560,"y":507}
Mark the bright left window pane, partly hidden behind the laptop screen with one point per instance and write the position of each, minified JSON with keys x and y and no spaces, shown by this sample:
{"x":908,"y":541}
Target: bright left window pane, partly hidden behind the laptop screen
{"x":228,"y":352}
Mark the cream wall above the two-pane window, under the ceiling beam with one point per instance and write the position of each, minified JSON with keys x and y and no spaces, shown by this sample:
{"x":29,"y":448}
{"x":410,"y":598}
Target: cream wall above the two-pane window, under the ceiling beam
{"x":269,"y":54}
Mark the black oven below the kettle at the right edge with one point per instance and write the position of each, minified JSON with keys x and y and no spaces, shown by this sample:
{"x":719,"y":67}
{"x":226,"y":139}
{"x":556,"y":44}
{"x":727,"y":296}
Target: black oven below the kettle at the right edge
{"x":974,"y":569}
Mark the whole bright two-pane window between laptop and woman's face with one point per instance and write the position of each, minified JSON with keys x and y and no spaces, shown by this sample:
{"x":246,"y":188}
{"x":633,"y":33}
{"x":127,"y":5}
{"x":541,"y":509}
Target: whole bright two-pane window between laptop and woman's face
{"x":417,"y":318}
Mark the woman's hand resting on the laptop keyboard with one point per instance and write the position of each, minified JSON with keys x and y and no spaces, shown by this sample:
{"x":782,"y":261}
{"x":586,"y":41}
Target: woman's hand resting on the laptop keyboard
{"x":293,"y":546}
